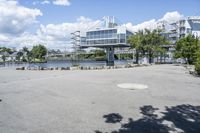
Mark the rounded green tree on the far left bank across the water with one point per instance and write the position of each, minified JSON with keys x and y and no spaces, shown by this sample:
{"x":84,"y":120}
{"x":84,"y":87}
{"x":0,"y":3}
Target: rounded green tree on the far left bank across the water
{"x":39,"y":51}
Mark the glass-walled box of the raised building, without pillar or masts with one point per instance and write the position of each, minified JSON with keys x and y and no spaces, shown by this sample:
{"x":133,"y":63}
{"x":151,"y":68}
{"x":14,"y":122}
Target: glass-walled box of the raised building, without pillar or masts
{"x":116,"y":37}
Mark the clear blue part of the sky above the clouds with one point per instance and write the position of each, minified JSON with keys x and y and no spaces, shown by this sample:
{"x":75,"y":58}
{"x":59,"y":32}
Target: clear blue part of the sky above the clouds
{"x":135,"y":11}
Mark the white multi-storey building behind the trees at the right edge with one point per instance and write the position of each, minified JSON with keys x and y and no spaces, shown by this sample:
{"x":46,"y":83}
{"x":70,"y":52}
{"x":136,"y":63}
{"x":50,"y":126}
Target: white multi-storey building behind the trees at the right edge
{"x":174,"y":31}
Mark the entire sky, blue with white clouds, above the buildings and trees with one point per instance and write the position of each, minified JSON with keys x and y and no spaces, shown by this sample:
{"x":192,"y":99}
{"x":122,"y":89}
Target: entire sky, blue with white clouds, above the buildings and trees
{"x":50,"y":22}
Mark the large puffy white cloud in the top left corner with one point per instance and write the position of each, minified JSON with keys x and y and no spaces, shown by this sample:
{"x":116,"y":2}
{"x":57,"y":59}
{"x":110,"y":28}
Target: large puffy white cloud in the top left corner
{"x":14,"y":19}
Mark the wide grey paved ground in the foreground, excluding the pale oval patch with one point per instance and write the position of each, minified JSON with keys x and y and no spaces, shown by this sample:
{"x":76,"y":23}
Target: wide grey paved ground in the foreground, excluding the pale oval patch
{"x":92,"y":102}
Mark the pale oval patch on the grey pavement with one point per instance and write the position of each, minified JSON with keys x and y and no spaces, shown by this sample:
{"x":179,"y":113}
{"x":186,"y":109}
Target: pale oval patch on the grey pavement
{"x":133,"y":86}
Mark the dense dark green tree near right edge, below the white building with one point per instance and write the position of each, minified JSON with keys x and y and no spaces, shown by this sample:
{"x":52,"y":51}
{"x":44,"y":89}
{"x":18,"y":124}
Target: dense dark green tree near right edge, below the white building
{"x":187,"y":48}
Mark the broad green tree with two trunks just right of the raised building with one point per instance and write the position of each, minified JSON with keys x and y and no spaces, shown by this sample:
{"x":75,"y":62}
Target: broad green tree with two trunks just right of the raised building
{"x":150,"y":42}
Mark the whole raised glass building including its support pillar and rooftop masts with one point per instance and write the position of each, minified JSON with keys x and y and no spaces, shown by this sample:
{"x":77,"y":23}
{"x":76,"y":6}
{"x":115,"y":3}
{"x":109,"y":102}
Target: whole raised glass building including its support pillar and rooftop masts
{"x":109,"y":37}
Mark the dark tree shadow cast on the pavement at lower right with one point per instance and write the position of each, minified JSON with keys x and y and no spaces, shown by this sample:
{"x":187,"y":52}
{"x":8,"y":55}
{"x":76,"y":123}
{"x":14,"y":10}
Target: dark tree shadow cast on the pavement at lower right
{"x":184,"y":117}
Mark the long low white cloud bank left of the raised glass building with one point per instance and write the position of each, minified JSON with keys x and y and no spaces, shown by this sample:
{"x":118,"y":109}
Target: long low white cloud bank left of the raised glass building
{"x":53,"y":35}
